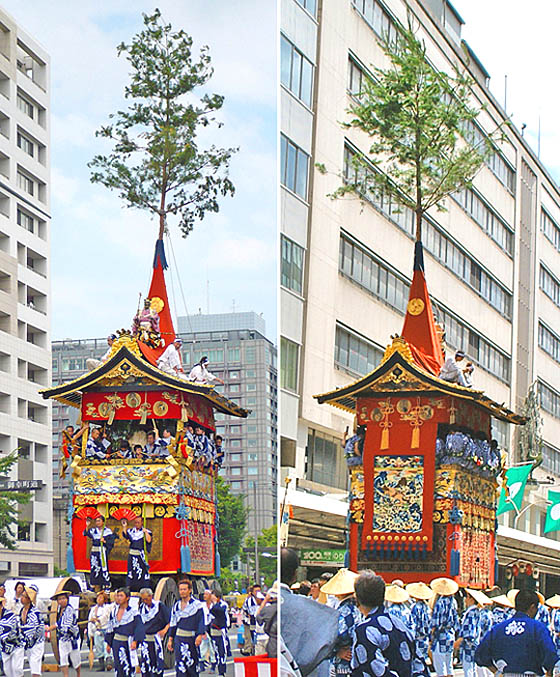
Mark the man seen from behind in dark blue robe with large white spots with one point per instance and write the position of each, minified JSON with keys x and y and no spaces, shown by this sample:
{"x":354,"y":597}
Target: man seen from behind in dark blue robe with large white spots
{"x":383,"y":645}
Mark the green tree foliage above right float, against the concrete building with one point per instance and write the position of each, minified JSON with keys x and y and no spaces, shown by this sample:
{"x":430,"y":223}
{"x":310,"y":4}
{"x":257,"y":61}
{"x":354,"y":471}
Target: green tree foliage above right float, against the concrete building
{"x":419,"y":122}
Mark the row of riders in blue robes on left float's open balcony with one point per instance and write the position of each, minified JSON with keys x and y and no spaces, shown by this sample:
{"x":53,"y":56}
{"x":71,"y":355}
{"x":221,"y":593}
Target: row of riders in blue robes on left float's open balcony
{"x":206,"y":449}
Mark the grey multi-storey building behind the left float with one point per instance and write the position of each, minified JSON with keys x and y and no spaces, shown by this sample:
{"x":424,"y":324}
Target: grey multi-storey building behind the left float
{"x":245,"y":359}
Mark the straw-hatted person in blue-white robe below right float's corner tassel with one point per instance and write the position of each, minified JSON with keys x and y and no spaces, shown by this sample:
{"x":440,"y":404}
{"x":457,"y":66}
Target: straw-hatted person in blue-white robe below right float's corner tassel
{"x":445,"y":623}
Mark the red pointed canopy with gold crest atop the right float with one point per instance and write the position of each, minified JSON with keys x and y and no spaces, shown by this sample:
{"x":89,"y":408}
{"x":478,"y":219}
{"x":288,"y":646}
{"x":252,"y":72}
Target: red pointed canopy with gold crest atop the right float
{"x":419,"y":328}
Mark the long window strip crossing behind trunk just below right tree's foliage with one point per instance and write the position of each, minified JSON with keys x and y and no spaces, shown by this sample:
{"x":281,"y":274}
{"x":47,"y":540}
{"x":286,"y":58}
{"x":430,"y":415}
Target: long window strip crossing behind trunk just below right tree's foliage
{"x":436,"y":241}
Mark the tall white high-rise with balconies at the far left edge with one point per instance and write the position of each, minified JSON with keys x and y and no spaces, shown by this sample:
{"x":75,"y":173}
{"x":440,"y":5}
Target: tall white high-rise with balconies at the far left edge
{"x":25,"y":362}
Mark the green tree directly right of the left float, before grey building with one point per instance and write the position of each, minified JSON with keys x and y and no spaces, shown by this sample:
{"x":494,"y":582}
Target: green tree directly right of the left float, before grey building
{"x":232,"y":516}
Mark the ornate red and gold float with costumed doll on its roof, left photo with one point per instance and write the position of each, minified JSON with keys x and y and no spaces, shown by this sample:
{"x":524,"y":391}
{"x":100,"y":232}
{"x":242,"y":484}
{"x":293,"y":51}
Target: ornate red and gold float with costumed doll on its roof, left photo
{"x":127,"y":396}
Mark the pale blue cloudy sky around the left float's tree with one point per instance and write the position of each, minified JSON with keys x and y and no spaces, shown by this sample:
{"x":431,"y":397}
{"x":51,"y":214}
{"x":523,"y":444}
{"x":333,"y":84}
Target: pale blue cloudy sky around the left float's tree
{"x":102,"y":252}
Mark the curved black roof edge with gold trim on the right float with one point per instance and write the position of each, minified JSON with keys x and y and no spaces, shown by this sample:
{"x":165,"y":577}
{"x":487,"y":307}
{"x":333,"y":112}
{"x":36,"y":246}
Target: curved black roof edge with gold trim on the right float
{"x":399,"y":373}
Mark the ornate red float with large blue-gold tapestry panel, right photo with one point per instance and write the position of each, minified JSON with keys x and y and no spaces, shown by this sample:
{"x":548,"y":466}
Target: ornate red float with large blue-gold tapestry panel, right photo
{"x":424,"y":473}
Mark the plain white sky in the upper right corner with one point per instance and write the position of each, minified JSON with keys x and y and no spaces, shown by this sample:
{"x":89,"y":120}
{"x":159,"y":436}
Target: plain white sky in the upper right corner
{"x":520,"y":41}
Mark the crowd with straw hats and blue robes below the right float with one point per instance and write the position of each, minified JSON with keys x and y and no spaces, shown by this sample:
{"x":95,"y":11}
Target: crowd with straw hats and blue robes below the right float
{"x":410,"y":630}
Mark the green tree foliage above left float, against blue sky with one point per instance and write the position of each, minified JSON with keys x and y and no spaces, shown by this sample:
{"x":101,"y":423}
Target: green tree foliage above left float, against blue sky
{"x":157,"y":163}
